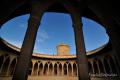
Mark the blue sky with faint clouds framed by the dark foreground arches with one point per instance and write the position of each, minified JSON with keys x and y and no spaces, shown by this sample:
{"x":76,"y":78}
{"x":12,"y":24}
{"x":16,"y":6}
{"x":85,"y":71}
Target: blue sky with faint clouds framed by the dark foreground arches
{"x":55,"y":28}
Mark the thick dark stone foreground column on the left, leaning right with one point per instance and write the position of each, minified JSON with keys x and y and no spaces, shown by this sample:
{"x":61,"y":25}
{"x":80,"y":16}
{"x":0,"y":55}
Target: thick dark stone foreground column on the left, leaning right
{"x":21,"y":71}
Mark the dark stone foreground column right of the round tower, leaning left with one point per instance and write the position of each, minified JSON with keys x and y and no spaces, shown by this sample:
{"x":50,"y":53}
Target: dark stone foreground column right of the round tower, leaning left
{"x":82,"y":61}
